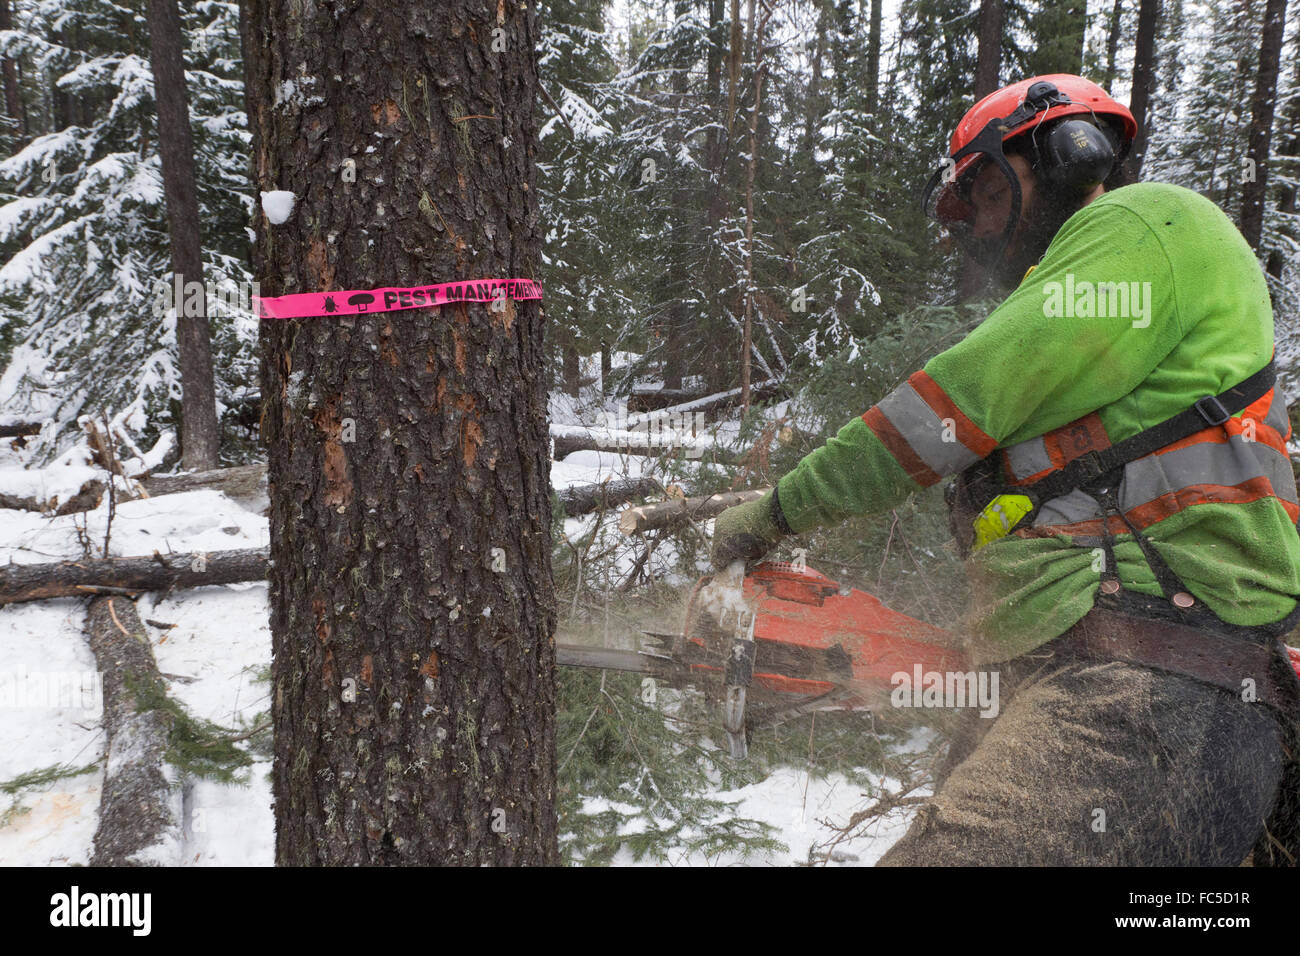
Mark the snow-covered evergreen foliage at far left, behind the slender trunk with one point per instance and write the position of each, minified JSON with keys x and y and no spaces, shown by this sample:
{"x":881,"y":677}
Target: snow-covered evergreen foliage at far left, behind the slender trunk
{"x":85,"y":258}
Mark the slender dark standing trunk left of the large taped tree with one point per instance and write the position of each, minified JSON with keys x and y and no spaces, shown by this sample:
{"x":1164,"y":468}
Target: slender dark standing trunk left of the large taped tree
{"x":176,"y":150}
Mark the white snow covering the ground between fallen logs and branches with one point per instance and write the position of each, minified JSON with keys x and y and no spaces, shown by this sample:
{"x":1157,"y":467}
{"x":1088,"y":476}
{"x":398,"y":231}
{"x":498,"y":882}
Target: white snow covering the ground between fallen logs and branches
{"x":216,"y":660}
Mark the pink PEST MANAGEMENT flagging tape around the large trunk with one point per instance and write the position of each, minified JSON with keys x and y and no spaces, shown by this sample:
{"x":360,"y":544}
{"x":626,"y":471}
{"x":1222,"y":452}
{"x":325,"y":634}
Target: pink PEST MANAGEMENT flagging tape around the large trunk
{"x":366,"y":301}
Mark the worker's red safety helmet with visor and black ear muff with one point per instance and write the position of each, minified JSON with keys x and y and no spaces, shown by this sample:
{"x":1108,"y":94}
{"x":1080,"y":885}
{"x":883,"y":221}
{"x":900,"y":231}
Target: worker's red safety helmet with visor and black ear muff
{"x":1021,"y":109}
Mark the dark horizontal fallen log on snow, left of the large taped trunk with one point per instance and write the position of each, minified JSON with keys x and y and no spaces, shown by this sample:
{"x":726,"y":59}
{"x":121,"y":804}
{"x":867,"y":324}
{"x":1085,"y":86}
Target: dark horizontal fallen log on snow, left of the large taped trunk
{"x":21,"y":583}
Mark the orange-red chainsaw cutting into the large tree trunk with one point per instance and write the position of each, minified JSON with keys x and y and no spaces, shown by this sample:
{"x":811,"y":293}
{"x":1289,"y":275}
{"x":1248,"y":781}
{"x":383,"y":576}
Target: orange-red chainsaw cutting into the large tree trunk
{"x":786,"y":641}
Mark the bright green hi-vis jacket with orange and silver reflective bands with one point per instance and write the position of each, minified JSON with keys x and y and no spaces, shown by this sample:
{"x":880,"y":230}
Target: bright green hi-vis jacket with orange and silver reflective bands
{"x":1147,"y":300}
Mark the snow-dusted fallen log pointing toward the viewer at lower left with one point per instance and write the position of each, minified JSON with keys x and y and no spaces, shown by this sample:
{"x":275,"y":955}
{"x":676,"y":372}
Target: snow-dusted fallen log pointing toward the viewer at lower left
{"x":138,"y":825}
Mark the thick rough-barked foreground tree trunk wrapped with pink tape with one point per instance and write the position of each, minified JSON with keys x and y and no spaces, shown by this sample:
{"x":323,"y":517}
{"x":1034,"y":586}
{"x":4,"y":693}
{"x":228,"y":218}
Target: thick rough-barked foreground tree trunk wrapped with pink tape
{"x":411,"y":598}
